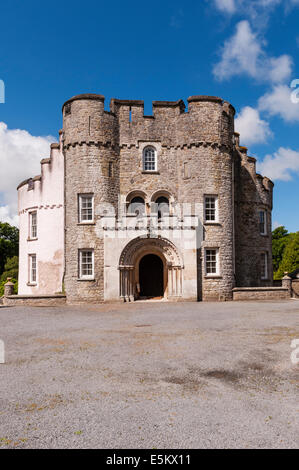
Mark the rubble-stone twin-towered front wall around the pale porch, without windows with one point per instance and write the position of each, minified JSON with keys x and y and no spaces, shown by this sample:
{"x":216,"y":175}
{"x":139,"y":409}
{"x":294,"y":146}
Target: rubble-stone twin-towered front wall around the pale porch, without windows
{"x":201,"y":137}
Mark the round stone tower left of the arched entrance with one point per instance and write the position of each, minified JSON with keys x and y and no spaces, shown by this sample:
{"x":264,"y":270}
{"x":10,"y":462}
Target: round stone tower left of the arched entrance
{"x":90,"y":142}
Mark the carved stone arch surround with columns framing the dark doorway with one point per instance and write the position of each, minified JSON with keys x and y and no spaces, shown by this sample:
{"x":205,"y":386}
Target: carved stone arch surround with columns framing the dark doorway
{"x":129,"y":260}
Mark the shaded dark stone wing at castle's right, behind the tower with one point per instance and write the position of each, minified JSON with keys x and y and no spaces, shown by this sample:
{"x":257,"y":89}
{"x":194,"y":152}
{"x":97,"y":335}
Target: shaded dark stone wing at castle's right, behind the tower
{"x":252,"y":193}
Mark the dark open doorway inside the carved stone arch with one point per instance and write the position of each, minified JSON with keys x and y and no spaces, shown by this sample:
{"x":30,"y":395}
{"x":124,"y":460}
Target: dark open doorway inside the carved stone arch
{"x":151,"y":276}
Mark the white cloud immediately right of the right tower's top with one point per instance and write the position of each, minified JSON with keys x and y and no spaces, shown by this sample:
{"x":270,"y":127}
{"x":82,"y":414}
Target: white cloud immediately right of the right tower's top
{"x":251,"y":127}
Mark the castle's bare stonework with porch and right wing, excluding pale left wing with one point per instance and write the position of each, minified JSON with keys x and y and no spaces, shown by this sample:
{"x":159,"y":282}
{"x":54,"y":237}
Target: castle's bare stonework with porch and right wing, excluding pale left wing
{"x":198,"y":154}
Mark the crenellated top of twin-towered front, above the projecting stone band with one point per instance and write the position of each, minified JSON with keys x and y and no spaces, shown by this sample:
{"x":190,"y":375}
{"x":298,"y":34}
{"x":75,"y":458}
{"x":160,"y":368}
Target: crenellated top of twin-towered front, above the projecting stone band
{"x":208,"y":119}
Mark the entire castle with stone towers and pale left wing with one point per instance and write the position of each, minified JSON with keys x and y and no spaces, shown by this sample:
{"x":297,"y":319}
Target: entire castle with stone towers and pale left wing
{"x":129,"y":206}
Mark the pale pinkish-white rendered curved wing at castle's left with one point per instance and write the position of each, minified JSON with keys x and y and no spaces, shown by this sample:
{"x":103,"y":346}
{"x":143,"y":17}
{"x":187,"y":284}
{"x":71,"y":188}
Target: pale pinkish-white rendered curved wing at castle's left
{"x":43,"y":194}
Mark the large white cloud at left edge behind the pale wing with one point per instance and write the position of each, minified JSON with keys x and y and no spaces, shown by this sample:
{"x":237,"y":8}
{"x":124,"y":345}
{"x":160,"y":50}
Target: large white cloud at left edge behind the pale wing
{"x":20,"y":155}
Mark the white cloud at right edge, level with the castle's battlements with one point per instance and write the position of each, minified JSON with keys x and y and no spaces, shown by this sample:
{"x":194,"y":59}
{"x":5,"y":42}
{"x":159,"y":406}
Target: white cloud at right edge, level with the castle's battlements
{"x":278,"y":102}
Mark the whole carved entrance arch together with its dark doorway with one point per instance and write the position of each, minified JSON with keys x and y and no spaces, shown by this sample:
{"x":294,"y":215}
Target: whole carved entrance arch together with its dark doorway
{"x":130,"y":263}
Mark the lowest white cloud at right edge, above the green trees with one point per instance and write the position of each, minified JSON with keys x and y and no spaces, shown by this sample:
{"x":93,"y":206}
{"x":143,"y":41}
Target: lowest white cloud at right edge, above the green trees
{"x":280,"y":166}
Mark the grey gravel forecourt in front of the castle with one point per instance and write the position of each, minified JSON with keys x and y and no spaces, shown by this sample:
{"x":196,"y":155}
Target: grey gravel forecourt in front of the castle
{"x":150,"y":375}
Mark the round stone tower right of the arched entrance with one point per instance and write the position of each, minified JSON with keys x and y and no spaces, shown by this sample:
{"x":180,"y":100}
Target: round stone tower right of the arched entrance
{"x":205,"y":138}
